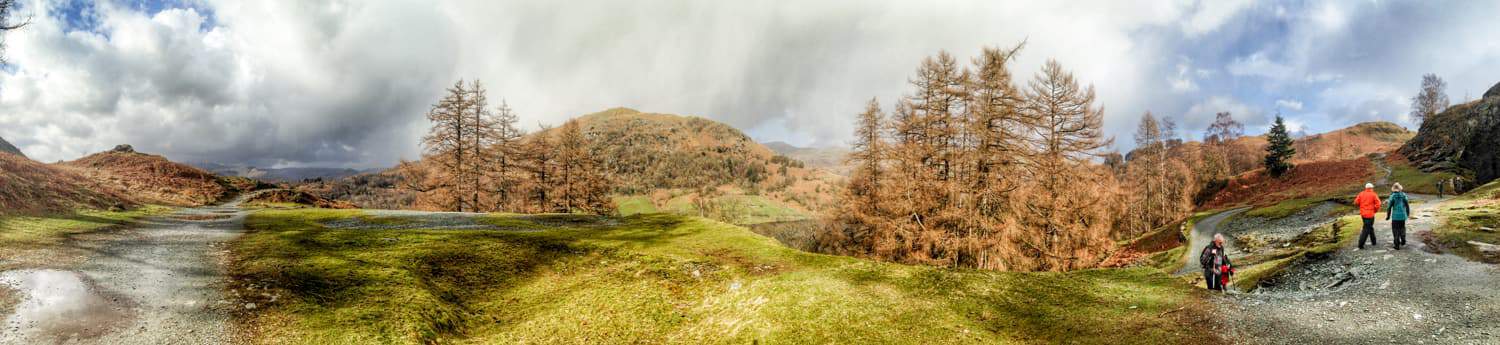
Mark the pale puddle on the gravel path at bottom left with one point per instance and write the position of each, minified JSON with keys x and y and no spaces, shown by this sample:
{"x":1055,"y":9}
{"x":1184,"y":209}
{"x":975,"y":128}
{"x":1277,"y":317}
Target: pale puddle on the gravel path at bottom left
{"x":58,"y":305}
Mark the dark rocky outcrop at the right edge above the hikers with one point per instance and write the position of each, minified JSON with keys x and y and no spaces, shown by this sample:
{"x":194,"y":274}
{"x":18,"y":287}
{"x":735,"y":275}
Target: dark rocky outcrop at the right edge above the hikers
{"x":1463,"y":140}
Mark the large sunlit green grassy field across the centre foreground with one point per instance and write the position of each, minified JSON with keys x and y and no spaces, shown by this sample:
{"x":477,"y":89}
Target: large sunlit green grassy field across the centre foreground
{"x":665,"y":280}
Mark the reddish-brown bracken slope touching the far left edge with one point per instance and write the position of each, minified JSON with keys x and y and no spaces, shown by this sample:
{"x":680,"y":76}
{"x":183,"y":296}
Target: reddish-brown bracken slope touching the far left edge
{"x":29,"y":187}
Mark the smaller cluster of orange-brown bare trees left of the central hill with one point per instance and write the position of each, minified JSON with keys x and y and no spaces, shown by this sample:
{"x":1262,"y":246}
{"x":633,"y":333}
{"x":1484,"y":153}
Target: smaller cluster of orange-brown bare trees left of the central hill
{"x":479,"y":160}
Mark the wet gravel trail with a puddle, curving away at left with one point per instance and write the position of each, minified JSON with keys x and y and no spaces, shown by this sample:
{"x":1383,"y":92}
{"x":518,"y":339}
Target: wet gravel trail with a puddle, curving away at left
{"x":158,"y":281}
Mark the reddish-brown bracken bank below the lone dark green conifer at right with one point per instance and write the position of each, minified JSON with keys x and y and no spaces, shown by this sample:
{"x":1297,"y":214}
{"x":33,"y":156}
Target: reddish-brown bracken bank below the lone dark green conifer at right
{"x":1309,"y":179}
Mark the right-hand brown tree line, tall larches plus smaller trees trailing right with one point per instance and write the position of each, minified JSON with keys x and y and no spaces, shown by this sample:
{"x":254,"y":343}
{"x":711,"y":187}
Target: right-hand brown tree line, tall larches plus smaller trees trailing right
{"x":973,"y":170}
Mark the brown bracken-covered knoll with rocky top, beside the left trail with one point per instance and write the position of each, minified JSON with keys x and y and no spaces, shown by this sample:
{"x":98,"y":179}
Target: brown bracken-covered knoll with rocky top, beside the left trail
{"x":152,"y":179}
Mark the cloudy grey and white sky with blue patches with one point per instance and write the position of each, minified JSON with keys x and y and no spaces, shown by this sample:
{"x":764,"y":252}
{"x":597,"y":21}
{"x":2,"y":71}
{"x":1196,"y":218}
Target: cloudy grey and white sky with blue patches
{"x":296,"y":83}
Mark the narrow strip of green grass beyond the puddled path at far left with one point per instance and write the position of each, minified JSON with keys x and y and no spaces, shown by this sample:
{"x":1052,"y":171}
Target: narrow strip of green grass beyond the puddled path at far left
{"x":52,"y":229}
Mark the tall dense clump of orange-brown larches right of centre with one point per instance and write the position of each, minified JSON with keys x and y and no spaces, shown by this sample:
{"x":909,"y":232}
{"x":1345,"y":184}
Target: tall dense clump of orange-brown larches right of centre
{"x":973,"y":172}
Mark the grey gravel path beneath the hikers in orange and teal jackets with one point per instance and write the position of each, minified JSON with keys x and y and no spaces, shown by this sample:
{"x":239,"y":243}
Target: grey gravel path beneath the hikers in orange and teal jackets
{"x":1375,"y":296}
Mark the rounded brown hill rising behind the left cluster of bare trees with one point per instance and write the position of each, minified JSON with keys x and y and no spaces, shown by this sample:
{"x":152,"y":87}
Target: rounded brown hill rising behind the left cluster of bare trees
{"x":662,"y":163}
